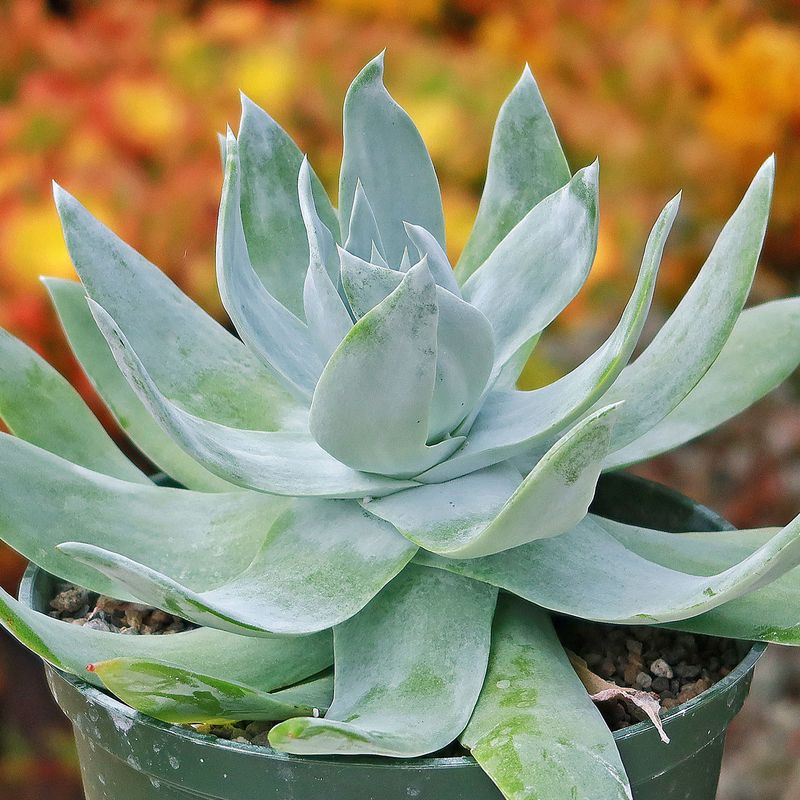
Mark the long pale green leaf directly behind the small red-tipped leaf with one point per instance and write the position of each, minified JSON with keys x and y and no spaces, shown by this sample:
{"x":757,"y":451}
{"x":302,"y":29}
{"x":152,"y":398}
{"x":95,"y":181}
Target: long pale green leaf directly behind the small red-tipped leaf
{"x":263,"y":663}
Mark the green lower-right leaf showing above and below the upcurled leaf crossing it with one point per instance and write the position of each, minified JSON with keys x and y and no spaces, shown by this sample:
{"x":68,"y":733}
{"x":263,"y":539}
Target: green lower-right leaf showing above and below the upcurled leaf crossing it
{"x":770,"y":614}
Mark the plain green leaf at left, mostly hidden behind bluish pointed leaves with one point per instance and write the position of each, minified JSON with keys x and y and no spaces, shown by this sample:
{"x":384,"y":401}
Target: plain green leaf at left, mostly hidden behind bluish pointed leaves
{"x":91,"y":350}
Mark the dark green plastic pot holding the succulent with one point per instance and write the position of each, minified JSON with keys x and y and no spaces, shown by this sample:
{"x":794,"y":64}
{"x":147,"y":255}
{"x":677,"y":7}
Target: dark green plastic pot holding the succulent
{"x":127,"y":756}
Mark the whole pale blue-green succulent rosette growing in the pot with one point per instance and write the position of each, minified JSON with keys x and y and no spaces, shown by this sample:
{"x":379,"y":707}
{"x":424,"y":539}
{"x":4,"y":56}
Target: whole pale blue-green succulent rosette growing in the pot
{"x":361,"y":477}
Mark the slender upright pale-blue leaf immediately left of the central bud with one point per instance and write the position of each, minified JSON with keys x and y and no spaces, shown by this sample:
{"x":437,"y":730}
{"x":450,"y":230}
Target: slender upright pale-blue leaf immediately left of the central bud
{"x":327,"y":317}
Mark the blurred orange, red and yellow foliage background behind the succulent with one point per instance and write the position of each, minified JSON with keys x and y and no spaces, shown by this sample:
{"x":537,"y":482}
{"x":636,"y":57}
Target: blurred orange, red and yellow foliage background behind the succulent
{"x":119,"y":102}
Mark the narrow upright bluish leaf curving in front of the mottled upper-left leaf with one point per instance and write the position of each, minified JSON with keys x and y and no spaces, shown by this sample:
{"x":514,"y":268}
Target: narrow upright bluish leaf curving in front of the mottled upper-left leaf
{"x":269,"y":329}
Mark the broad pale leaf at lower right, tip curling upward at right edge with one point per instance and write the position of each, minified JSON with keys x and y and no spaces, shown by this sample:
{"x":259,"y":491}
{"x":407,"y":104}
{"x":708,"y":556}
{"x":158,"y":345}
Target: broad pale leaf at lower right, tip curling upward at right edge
{"x":588,"y":573}
